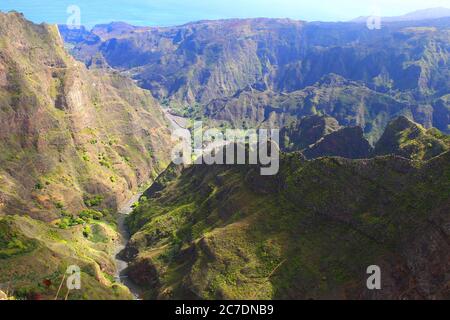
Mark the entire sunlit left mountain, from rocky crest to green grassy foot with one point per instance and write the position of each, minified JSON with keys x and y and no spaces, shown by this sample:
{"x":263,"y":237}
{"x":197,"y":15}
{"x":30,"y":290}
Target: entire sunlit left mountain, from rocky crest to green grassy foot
{"x":76,"y":144}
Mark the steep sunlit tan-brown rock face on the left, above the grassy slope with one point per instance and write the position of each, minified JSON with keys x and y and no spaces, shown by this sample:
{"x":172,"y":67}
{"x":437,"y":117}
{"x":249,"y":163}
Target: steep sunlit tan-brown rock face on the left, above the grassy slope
{"x":69,"y":134}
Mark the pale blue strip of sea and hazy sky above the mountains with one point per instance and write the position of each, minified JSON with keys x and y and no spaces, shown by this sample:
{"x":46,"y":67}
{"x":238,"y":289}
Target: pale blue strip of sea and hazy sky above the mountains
{"x":174,"y":12}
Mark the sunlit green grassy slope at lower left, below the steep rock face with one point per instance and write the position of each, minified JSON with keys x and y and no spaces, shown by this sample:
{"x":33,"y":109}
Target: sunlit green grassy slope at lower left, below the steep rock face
{"x":34,"y":257}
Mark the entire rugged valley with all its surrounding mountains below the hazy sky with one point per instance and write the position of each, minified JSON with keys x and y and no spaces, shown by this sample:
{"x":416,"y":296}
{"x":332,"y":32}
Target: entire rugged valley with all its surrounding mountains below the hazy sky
{"x":87,"y":176}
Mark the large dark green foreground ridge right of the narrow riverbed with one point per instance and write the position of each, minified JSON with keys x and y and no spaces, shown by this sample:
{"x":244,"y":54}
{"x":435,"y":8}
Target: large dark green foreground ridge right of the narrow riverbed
{"x":225,"y":232}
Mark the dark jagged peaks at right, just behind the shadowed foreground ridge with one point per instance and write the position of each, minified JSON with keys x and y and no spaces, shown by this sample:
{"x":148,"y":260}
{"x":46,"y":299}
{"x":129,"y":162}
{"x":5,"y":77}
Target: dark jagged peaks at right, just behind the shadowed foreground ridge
{"x":320,"y":136}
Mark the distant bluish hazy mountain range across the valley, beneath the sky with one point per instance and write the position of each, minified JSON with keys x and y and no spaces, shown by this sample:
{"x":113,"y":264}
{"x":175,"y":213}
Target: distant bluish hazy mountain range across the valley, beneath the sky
{"x":223,"y":68}
